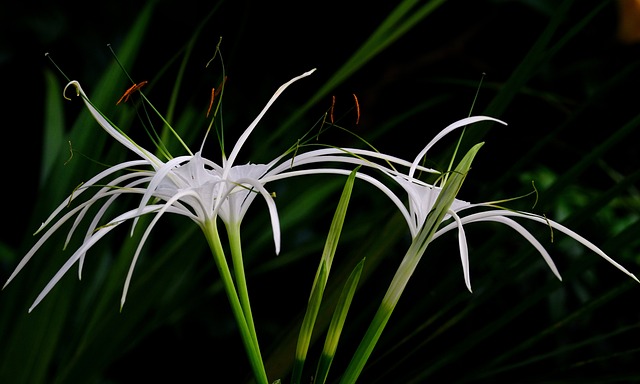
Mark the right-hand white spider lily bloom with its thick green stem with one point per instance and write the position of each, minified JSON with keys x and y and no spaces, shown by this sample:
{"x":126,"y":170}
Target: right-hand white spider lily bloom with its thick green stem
{"x":428,"y":212}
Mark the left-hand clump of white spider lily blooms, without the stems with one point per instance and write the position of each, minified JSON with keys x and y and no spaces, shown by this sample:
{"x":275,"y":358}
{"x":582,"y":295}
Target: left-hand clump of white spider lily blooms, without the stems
{"x":190,"y":185}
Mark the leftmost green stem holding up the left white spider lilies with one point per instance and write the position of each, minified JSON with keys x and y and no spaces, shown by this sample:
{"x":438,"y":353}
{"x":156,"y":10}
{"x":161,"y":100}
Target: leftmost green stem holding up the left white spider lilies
{"x":211,"y":233}
